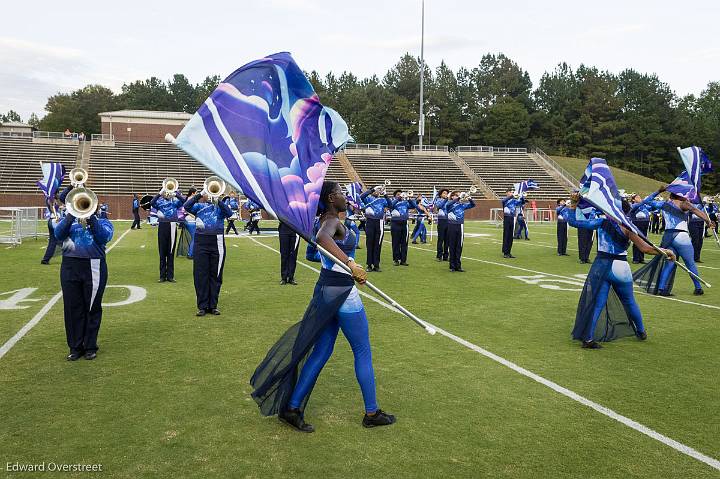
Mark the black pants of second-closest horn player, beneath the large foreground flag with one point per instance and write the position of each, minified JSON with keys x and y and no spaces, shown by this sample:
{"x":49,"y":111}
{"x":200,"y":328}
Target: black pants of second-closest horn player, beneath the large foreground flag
{"x":208,"y":264}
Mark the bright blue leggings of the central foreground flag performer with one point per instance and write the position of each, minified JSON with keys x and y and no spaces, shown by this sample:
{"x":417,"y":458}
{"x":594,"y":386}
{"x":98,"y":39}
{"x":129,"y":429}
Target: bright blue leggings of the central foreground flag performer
{"x":355,"y":328}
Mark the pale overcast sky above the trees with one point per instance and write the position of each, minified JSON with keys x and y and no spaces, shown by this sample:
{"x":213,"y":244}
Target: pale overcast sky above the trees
{"x":49,"y":47}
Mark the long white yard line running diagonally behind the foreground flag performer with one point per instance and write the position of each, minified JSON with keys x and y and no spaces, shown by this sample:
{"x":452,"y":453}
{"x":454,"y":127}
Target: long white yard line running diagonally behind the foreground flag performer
{"x":678,"y":446}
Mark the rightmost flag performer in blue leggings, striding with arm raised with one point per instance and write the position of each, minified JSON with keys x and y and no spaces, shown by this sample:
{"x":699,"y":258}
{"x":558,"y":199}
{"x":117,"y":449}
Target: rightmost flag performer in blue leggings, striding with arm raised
{"x":658,"y":275}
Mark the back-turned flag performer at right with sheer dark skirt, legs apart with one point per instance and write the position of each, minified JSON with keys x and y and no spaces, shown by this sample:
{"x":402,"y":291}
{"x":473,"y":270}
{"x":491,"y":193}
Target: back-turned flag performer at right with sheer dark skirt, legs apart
{"x":609,"y":271}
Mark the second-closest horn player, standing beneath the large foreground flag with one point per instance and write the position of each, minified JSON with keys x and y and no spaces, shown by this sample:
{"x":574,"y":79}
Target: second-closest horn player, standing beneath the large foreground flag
{"x":209,"y":249}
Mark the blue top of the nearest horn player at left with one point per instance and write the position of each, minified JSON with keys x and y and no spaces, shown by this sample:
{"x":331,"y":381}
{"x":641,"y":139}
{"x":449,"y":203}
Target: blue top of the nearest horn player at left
{"x":84,"y":241}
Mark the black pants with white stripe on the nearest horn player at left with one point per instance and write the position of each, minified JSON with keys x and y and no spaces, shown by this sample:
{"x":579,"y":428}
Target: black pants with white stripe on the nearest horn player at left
{"x":83,"y":283}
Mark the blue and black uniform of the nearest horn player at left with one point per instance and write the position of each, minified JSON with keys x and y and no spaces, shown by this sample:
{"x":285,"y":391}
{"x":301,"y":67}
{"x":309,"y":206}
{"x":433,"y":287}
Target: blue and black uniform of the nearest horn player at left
{"x":83,"y":276}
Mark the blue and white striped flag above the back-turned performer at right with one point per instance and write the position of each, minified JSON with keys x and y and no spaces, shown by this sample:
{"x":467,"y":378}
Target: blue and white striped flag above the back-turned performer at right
{"x":598,"y":187}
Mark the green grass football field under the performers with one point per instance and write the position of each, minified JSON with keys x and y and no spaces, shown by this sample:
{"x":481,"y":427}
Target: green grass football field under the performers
{"x":168,"y":395}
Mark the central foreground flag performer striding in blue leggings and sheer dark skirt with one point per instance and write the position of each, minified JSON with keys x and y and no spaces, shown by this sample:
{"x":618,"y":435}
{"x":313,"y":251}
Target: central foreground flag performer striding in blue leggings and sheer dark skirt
{"x":280,"y":386}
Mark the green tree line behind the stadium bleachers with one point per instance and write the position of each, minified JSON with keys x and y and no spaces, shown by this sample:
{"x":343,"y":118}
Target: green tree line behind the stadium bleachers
{"x":632,"y":119}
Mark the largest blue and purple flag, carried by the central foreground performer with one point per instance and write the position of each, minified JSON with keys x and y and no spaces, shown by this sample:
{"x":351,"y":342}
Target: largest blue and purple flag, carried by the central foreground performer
{"x":265,"y":132}
